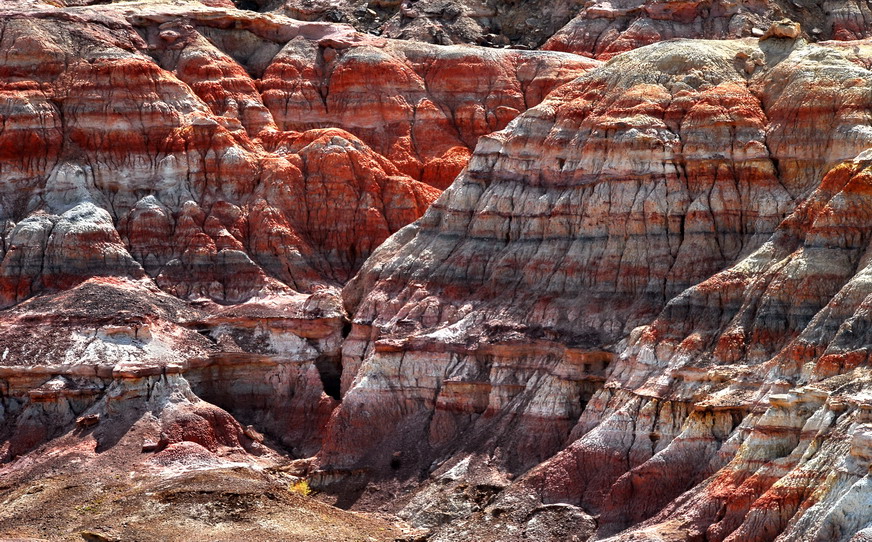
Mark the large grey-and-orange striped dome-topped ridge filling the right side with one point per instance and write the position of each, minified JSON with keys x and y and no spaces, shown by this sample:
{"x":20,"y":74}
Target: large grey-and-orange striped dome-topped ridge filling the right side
{"x":728,"y":396}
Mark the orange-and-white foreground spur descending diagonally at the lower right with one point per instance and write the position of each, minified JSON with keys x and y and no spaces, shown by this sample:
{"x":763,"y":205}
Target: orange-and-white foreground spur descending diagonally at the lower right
{"x":805,"y":398}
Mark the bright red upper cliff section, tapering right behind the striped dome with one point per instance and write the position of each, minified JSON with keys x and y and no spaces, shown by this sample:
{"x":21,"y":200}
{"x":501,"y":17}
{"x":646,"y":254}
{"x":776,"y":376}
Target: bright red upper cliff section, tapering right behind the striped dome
{"x":422,"y":108}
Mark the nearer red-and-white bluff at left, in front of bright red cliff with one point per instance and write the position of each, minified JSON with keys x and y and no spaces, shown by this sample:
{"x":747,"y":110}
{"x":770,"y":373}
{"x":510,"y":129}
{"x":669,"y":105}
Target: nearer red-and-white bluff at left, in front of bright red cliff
{"x":171,"y":187}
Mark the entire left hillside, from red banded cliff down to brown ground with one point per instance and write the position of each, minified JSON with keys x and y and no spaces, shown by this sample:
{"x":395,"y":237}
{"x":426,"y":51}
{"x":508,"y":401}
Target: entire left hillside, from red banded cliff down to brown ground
{"x":183,"y":187}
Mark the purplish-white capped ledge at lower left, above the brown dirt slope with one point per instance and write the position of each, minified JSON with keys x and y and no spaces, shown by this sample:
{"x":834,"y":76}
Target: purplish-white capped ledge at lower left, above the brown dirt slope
{"x":109,"y":340}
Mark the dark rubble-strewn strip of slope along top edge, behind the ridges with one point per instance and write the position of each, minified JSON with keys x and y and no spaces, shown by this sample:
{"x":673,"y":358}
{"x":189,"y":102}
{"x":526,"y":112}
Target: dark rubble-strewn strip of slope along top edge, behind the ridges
{"x":600,"y":29}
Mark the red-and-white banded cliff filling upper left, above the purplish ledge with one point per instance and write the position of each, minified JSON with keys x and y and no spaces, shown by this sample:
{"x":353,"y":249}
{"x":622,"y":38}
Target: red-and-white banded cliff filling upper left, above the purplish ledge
{"x":147,"y":144}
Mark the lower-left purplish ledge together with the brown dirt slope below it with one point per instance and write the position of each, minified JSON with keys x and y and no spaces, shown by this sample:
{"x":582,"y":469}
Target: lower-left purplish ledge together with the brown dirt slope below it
{"x":117,"y":400}
